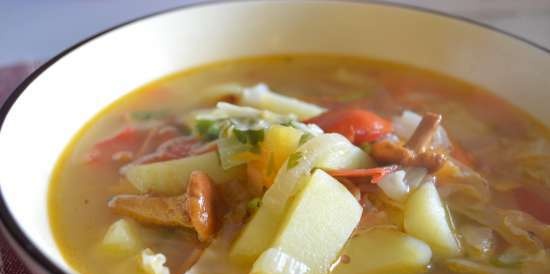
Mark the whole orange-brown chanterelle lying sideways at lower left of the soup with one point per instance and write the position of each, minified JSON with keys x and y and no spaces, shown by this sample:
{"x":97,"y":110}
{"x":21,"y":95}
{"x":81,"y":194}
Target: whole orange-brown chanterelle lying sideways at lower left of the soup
{"x":194,"y":209}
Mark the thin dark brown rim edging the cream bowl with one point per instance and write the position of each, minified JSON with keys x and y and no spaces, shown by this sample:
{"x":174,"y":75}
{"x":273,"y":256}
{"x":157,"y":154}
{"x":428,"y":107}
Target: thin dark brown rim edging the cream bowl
{"x":14,"y":231}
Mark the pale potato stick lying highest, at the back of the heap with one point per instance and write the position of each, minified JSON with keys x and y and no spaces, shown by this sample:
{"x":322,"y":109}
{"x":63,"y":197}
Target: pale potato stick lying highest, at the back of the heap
{"x":261,"y":97}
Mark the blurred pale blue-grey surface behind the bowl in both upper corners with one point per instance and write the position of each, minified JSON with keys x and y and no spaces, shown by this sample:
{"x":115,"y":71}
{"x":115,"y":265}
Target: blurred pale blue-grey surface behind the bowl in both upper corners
{"x":38,"y":29}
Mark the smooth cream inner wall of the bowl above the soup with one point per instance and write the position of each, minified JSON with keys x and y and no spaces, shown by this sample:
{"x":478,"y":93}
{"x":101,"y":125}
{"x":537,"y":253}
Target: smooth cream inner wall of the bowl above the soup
{"x":52,"y":104}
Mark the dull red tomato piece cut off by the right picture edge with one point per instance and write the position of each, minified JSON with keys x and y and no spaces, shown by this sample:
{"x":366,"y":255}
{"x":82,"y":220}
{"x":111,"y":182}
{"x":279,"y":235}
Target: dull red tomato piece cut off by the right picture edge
{"x":533,"y":203}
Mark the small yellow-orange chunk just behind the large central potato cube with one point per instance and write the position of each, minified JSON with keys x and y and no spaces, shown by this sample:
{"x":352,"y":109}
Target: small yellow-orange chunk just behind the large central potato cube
{"x":279,"y":143}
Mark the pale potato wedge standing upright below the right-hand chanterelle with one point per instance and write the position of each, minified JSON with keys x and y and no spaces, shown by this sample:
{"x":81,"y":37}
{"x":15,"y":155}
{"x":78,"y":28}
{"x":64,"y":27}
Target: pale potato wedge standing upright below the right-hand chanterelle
{"x":426,"y":218}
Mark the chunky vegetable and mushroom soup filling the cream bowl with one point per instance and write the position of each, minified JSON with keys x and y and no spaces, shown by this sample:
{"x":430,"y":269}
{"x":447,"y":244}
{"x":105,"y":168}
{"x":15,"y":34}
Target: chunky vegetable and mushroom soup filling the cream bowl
{"x":305,"y":164}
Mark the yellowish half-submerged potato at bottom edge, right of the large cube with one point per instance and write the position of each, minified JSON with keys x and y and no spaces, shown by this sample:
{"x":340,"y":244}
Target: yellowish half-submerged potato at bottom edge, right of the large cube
{"x":383,"y":250}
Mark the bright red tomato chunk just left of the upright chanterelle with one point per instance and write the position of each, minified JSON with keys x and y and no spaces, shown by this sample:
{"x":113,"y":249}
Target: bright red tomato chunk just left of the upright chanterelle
{"x":357,"y":125}
